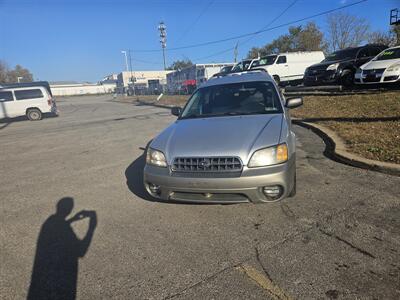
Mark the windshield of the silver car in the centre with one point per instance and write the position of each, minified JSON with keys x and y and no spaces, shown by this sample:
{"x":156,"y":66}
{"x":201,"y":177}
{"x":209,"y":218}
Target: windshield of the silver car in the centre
{"x":233,"y":99}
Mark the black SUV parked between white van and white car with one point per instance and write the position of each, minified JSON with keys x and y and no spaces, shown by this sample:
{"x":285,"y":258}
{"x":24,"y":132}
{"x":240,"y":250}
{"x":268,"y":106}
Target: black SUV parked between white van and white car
{"x":340,"y":66}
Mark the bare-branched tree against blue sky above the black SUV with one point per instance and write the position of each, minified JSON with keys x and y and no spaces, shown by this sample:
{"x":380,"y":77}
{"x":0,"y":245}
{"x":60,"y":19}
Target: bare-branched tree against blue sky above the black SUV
{"x":345,"y":30}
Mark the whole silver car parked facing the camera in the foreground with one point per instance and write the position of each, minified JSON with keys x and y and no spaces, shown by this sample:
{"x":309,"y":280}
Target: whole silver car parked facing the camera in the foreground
{"x":233,"y":142}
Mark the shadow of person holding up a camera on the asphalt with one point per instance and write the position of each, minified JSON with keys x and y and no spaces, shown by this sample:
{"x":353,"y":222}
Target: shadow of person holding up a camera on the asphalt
{"x":55,"y":269}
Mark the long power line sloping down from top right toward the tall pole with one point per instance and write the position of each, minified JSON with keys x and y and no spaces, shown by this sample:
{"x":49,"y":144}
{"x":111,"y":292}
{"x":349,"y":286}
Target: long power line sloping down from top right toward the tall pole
{"x":258,"y":31}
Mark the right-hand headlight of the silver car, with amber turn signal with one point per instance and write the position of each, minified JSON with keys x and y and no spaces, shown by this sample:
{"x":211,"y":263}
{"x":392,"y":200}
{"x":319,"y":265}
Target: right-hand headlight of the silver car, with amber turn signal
{"x":269,"y":156}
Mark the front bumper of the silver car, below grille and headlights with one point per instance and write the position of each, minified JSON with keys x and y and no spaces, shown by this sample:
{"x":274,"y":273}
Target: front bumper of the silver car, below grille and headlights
{"x":246,"y":188}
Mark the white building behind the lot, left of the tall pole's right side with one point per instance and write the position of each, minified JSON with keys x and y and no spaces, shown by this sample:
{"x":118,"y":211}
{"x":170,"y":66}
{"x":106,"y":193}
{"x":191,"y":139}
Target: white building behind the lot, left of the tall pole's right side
{"x":144,"y":80}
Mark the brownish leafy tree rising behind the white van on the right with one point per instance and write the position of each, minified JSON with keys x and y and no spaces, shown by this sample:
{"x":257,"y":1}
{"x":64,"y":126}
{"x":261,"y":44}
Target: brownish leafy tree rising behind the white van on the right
{"x":299,"y":38}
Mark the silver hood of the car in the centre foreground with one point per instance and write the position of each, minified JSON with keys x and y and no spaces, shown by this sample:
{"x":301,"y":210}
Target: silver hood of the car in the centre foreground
{"x":219,"y":136}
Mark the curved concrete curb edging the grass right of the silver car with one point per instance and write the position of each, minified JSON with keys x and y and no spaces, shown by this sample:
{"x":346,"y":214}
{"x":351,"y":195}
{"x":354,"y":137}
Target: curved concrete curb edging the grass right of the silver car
{"x":336,"y":148}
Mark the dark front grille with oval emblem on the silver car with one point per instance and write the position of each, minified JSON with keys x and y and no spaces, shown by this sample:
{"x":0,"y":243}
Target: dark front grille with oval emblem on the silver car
{"x":206,"y":164}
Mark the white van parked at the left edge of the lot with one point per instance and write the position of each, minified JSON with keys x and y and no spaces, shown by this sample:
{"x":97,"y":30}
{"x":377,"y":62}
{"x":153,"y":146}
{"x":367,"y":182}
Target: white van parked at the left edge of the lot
{"x":33,"y":102}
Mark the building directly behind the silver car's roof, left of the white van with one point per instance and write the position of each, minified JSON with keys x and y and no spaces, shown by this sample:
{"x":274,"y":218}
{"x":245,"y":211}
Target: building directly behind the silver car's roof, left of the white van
{"x":186,"y":80}
